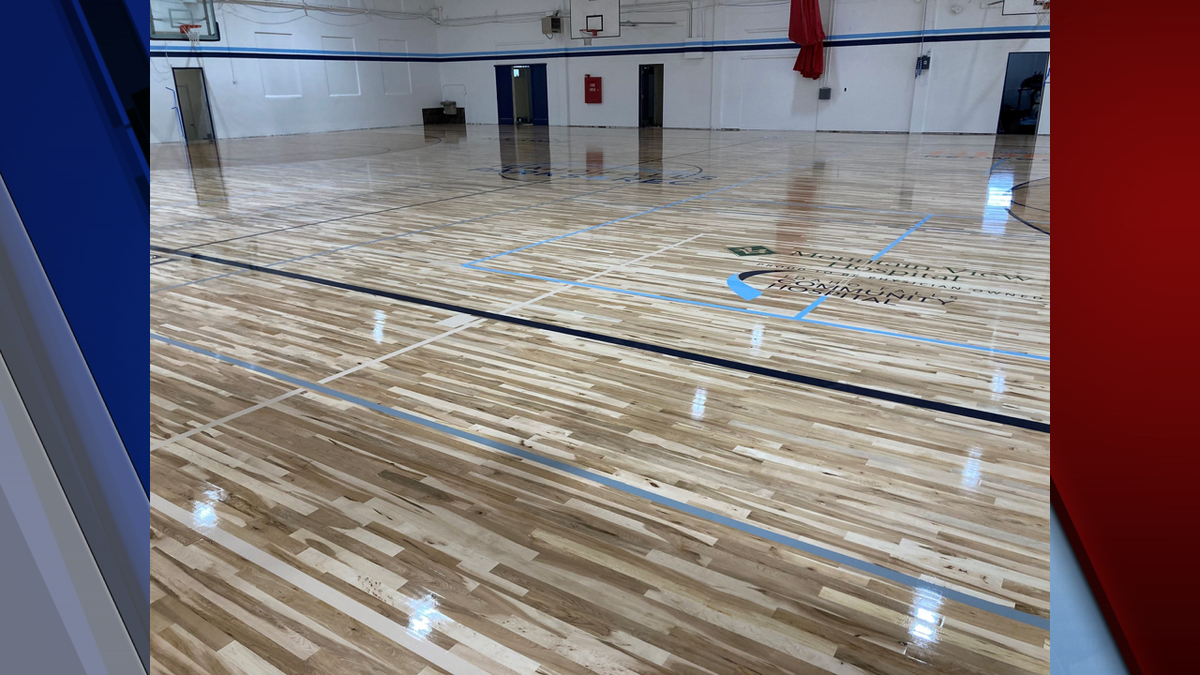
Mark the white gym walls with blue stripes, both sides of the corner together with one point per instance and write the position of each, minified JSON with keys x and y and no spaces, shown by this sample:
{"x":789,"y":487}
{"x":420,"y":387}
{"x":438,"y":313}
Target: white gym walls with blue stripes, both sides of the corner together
{"x":874,"y":87}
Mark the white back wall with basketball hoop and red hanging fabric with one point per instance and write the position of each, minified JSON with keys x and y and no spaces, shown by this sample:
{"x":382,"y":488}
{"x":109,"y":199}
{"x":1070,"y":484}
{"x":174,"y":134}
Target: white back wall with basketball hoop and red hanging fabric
{"x":874,"y":87}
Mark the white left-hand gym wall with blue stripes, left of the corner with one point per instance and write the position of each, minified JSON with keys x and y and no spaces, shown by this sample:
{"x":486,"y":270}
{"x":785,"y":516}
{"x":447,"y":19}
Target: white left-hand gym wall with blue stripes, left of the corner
{"x":272,"y":97}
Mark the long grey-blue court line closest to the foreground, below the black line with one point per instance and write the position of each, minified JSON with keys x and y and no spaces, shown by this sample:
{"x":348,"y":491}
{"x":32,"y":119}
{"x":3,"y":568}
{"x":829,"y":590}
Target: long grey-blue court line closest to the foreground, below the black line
{"x":599,"y":479}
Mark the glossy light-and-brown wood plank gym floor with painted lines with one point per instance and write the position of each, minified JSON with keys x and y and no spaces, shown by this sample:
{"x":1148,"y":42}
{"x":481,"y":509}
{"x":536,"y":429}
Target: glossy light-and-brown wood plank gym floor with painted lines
{"x":513,"y":402}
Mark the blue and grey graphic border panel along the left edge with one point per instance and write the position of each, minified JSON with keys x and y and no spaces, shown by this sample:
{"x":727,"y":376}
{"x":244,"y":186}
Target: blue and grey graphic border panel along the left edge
{"x":74,"y":232}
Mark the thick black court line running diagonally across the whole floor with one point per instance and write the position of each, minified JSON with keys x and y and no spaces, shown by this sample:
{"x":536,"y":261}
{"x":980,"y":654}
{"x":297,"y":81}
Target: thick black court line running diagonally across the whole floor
{"x":855,"y":390}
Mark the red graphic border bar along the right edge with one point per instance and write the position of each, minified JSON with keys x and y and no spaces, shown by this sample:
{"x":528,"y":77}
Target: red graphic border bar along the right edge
{"x":1125,"y":457}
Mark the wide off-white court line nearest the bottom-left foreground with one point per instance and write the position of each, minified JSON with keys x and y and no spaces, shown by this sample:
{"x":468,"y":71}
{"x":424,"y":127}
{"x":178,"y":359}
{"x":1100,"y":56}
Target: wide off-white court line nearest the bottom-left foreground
{"x":399,"y":634}
